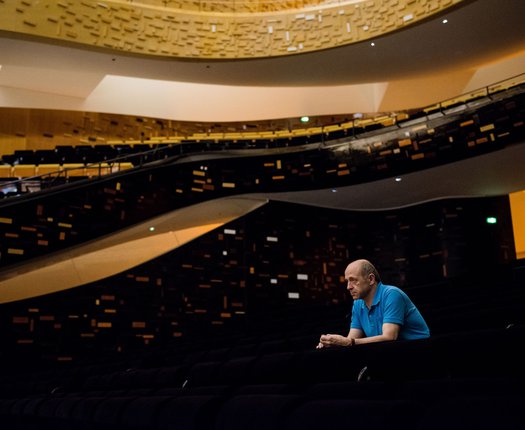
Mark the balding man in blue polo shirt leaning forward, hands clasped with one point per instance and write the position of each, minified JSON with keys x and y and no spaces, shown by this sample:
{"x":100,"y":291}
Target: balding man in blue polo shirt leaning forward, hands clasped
{"x":380,"y":312}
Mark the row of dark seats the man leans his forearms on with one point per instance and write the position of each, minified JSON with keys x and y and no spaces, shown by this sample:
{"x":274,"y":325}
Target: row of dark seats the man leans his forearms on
{"x":479,"y":353}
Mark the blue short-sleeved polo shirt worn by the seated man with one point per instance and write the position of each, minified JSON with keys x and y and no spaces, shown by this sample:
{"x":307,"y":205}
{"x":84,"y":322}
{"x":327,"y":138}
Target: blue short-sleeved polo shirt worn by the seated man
{"x":390,"y":305}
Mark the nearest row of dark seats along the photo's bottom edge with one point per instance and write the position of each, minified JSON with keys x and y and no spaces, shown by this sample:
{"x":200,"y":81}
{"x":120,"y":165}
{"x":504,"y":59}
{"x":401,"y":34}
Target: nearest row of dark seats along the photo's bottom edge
{"x":480,"y":403}
